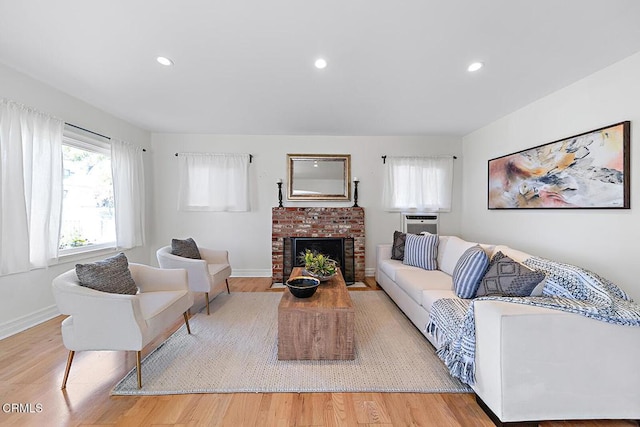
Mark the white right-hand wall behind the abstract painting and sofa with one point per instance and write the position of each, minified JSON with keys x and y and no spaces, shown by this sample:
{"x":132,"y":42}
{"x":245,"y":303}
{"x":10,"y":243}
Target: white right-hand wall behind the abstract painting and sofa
{"x":604,"y":241}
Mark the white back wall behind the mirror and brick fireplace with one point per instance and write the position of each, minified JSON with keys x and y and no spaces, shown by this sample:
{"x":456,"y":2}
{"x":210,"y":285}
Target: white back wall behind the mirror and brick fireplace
{"x":247,"y":236}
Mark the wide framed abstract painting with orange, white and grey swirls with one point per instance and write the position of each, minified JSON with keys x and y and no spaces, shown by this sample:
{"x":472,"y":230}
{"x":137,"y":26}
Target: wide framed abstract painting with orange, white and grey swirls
{"x":585,"y":171}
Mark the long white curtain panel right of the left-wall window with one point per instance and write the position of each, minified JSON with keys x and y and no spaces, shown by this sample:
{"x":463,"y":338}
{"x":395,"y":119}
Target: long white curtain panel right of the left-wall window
{"x":127,"y":168}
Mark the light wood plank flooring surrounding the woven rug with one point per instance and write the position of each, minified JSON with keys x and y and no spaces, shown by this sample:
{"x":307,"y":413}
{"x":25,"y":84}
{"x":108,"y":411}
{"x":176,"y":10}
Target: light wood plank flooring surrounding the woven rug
{"x":32,"y":365}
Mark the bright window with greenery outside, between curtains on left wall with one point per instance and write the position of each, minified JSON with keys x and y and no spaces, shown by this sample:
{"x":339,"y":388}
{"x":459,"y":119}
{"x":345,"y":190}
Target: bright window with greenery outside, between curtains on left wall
{"x":88,"y":218}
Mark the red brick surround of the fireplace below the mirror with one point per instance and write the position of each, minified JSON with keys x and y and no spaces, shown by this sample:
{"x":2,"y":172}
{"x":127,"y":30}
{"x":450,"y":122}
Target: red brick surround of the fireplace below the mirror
{"x":316,"y":222}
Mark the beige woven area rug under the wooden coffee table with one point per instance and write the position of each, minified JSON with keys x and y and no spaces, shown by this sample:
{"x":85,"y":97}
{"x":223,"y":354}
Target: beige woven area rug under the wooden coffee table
{"x":235,"y":350}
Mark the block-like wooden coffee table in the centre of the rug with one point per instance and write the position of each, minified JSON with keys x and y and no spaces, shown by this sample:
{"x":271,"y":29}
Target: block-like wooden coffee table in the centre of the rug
{"x":317,"y":328}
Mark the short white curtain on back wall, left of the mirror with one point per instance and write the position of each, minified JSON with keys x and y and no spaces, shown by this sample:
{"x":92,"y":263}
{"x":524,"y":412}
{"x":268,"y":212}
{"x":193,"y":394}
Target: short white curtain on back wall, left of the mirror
{"x":213,"y":182}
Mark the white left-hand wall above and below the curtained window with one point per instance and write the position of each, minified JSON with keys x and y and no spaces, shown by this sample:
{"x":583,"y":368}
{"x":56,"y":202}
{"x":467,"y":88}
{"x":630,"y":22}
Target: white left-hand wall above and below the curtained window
{"x":26,"y":298}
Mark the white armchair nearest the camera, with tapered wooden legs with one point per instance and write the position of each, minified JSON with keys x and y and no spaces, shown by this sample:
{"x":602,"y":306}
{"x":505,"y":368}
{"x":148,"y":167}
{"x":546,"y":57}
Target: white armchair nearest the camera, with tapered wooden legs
{"x":106,"y":321}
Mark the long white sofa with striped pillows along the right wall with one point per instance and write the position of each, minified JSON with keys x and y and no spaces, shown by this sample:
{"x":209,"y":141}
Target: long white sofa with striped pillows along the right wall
{"x":531,"y":363}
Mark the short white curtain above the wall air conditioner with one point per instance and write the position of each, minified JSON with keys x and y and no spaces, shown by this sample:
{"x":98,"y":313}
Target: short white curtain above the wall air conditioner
{"x":418,"y":183}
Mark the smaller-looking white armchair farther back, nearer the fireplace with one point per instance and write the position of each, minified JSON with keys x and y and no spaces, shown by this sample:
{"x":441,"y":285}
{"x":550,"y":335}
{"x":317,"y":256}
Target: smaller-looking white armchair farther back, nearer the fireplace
{"x":207,"y":275}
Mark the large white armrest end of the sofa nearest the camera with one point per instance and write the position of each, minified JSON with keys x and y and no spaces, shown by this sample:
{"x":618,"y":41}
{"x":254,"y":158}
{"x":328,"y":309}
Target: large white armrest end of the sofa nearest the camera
{"x":536,"y":363}
